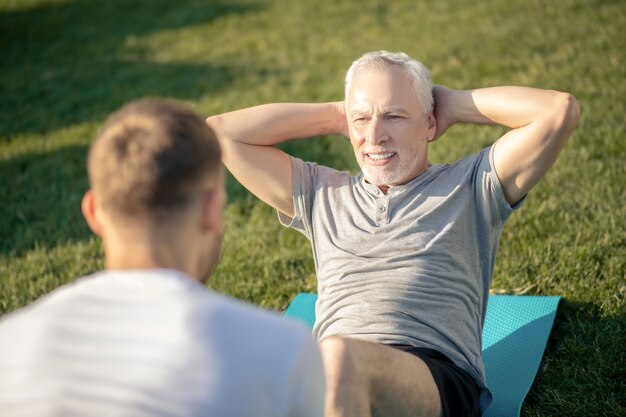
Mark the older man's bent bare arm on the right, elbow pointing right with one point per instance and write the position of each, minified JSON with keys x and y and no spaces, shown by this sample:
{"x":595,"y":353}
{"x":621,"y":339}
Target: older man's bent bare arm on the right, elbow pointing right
{"x":541,"y":122}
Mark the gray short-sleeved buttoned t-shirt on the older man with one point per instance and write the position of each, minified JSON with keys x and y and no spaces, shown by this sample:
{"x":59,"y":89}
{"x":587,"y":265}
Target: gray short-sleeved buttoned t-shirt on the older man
{"x":412,"y":266}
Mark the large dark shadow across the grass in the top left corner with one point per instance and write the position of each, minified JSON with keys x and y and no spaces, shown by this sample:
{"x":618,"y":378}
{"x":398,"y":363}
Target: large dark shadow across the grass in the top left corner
{"x":75,"y":61}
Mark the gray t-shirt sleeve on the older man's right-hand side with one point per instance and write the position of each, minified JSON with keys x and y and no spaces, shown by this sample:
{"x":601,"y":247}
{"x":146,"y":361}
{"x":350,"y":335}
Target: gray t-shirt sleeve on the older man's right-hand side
{"x":489,"y":191}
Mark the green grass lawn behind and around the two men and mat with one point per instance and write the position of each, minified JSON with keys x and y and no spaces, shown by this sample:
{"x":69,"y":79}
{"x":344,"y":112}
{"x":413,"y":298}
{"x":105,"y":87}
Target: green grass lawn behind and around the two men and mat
{"x":64,"y":65}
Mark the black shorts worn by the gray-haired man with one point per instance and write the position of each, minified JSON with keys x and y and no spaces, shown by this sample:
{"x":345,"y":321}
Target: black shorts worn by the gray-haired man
{"x":457,"y":389}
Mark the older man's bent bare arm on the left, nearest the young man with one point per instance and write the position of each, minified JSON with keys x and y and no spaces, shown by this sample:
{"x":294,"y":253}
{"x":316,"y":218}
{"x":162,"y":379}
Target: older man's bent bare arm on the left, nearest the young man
{"x":248,"y":138}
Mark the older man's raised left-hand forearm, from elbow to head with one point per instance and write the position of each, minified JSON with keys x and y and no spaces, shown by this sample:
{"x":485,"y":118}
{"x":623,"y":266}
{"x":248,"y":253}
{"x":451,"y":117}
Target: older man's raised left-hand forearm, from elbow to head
{"x":271,"y":124}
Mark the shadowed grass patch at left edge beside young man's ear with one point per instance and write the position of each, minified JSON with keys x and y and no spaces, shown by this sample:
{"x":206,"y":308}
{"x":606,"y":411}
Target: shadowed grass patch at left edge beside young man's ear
{"x":43,"y":208}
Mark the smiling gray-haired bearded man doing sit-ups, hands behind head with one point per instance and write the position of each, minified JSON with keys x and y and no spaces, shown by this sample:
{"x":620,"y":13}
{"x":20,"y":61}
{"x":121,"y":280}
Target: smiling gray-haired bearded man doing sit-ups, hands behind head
{"x":404,"y":251}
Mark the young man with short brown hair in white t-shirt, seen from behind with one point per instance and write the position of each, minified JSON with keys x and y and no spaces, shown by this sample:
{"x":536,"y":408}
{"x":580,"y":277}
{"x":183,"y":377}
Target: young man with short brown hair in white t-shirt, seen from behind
{"x":145,"y":337}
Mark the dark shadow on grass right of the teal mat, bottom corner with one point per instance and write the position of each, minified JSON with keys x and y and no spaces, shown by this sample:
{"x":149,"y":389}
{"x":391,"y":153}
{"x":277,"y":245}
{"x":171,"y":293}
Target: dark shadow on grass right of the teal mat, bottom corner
{"x":583,"y":366}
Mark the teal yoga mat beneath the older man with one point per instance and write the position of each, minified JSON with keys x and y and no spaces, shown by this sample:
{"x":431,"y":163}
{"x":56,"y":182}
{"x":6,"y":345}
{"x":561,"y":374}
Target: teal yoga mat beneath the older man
{"x":515,"y":335}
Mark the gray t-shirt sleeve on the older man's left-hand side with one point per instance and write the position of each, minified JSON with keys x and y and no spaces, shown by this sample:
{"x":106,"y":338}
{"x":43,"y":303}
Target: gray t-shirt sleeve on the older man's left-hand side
{"x":303,"y":179}
